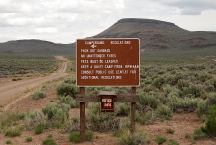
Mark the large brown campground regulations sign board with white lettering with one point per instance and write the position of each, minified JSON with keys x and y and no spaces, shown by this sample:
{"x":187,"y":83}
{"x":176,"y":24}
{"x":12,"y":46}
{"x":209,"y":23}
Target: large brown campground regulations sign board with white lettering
{"x":108,"y":62}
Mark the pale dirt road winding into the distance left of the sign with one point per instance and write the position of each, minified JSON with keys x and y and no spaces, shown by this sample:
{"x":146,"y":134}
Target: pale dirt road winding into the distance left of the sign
{"x":11,"y":92}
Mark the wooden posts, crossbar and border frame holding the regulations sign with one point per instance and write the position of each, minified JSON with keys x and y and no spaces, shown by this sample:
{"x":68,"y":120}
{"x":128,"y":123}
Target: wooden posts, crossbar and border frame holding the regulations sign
{"x":83,"y":98}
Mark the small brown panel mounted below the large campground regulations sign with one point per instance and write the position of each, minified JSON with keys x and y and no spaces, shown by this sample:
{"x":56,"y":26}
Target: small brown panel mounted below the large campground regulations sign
{"x":107,"y":103}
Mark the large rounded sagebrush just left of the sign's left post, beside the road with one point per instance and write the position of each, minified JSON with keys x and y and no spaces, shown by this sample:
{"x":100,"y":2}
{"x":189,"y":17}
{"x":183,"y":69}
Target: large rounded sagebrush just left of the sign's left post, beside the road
{"x":57,"y":114}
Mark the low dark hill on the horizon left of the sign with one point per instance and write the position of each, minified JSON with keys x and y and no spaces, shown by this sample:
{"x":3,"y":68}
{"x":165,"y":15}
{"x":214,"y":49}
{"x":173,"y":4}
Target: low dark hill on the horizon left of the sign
{"x":35,"y":47}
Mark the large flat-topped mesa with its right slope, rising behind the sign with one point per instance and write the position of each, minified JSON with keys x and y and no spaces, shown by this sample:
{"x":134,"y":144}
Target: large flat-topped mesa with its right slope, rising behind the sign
{"x":159,"y":35}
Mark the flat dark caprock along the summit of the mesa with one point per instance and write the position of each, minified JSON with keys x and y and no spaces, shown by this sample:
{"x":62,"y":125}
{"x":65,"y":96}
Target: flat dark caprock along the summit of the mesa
{"x":147,"y":21}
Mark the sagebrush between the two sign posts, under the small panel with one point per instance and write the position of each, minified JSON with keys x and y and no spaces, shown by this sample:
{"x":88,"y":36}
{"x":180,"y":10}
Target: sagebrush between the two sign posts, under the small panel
{"x":101,"y":121}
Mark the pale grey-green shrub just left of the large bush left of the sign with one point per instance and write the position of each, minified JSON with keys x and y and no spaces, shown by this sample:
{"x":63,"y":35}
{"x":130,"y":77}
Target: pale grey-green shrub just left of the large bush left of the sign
{"x":34,"y":118}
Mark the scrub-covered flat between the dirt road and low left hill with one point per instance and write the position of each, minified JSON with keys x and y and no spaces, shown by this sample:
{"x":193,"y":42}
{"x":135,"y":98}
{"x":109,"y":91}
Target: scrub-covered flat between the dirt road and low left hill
{"x":26,"y":65}
